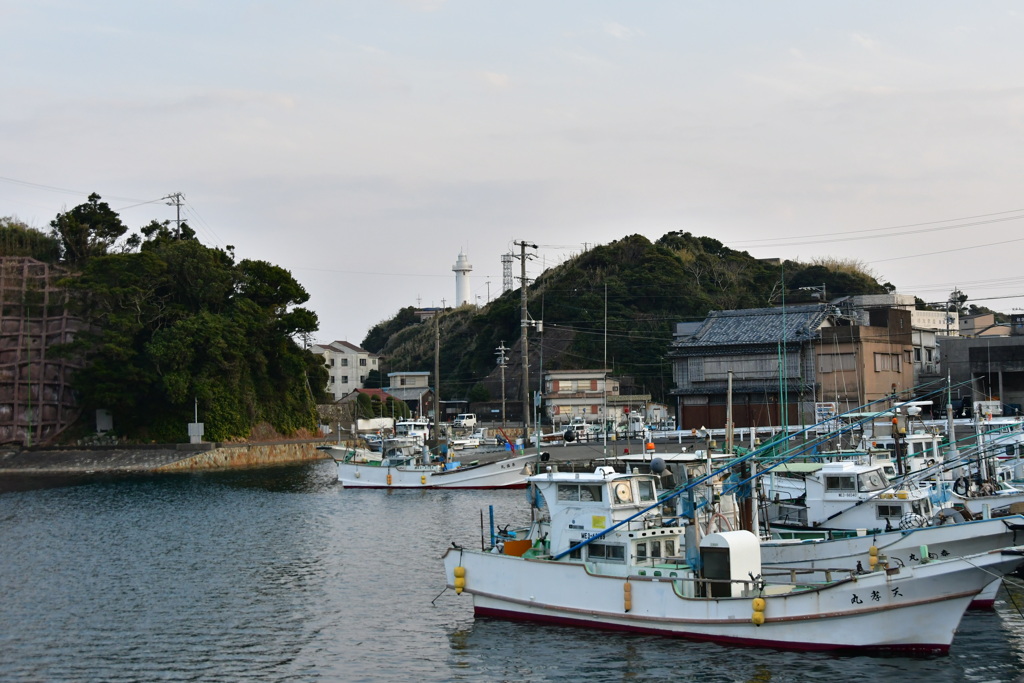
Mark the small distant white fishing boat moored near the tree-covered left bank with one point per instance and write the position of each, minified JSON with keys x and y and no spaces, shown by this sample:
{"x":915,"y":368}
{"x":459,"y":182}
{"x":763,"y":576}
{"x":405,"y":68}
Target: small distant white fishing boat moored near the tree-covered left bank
{"x":359,"y":468}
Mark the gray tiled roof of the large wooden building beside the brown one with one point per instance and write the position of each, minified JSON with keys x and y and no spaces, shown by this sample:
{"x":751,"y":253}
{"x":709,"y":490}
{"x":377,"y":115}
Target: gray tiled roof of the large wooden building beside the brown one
{"x":757,"y":326}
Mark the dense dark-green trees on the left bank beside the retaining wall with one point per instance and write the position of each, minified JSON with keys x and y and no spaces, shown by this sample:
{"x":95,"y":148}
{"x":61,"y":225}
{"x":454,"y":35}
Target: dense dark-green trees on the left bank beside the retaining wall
{"x":173,"y":326}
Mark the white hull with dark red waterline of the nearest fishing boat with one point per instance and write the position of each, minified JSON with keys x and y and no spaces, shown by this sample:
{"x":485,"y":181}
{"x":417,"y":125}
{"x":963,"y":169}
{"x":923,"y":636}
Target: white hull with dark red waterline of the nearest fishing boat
{"x":915,"y":608}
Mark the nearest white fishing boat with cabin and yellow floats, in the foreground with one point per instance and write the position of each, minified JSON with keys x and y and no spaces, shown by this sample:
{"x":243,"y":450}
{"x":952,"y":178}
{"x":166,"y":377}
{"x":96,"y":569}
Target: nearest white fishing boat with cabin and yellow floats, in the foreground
{"x":601,"y":554}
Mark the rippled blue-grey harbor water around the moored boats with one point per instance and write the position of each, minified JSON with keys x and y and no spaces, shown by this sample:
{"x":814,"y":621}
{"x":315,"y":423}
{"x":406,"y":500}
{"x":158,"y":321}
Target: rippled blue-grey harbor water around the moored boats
{"x":280,"y":575}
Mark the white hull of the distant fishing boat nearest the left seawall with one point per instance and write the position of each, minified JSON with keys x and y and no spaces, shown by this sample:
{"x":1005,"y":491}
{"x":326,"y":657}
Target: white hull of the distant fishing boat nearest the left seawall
{"x":510,"y":474}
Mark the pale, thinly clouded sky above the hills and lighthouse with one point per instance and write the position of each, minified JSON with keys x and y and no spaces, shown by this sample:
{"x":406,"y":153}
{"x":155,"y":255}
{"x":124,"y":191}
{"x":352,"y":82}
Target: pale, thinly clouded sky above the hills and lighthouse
{"x":364,"y":146}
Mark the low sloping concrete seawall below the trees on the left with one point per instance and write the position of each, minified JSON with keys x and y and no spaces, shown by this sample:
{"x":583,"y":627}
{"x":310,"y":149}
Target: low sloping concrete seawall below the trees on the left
{"x":157,"y":458}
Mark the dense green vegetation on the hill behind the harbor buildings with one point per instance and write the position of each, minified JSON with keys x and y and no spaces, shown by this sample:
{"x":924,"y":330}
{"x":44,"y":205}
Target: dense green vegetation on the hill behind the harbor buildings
{"x":614,"y":307}
